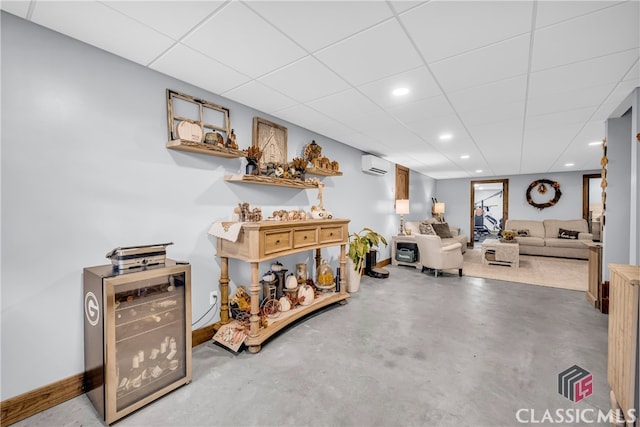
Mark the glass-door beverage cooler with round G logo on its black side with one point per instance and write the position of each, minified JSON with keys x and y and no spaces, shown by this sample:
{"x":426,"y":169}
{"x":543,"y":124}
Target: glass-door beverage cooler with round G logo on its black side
{"x":137,"y":335}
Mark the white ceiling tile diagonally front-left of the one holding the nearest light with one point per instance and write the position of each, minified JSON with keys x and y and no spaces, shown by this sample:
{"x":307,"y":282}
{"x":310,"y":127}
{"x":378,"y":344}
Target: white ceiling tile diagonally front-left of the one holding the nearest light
{"x":306,"y":80}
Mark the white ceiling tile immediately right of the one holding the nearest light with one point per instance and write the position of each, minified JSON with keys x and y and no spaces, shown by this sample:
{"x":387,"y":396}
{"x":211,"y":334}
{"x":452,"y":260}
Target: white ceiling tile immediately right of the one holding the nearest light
{"x":486,"y":65}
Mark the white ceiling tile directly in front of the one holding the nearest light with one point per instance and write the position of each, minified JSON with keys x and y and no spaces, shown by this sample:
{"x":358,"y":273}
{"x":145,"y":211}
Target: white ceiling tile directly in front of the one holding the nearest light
{"x":371,"y":55}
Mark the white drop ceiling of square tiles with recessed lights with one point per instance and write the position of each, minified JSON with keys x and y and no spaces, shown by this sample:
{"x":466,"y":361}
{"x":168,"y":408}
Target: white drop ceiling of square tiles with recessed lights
{"x":521,"y":87}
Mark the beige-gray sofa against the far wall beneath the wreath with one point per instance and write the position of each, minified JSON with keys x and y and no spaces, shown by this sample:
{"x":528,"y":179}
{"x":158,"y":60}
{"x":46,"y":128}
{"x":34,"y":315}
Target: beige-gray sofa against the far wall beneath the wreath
{"x":542,"y":237}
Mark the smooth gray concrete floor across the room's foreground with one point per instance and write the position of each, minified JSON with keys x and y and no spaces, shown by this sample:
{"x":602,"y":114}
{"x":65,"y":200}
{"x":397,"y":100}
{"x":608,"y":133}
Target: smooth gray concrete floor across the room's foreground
{"x":410,"y":350}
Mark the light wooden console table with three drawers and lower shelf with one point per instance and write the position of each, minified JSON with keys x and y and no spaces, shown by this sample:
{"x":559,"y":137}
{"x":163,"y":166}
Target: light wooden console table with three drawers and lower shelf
{"x":265,"y":240}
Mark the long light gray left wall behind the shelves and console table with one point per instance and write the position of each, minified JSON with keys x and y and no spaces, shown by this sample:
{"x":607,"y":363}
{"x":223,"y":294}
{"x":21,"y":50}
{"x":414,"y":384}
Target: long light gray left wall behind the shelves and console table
{"x":85,"y":169}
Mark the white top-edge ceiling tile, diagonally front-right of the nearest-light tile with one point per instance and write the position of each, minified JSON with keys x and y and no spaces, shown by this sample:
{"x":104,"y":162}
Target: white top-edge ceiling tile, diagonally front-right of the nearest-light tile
{"x":442,"y":29}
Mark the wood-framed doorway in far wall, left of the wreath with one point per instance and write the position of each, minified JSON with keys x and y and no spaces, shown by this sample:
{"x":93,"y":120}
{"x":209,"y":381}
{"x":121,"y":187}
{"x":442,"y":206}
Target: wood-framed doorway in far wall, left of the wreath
{"x":489,"y":208}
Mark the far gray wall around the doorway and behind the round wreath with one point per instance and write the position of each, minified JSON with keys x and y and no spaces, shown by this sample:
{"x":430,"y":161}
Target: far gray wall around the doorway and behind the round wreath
{"x":456,"y":194}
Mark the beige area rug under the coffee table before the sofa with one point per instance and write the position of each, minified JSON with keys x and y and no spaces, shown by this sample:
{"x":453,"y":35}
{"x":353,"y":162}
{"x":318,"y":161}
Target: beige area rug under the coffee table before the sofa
{"x":534,"y":270}
